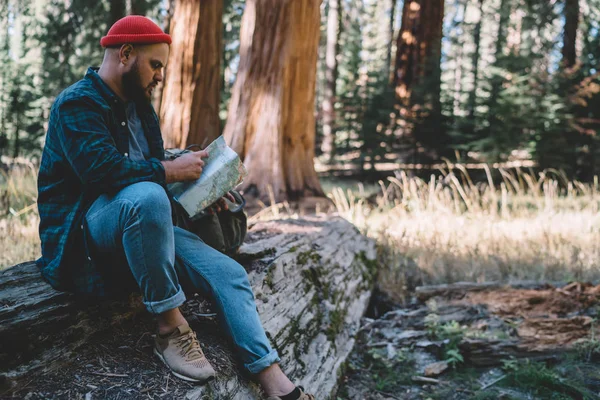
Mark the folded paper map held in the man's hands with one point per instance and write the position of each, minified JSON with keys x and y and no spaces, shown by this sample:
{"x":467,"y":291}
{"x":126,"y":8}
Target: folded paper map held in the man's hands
{"x":223,"y":170}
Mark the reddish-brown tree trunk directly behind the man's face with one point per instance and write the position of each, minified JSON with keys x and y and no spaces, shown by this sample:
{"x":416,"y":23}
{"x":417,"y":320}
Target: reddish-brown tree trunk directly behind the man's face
{"x":189,"y":111}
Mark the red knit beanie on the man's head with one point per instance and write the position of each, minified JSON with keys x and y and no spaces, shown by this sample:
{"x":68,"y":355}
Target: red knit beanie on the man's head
{"x":134,"y":29}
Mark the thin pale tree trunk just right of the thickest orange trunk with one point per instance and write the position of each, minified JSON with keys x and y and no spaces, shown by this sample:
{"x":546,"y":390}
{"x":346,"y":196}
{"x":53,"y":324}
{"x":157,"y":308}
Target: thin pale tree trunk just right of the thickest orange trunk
{"x":331,"y":51}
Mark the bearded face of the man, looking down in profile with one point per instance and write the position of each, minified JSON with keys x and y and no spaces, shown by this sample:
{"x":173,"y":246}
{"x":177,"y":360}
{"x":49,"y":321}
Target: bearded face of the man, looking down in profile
{"x":145,"y":72}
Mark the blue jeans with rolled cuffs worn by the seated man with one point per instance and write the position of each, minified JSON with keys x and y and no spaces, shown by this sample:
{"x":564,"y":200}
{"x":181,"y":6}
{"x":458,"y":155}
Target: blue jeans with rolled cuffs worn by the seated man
{"x":135,"y":227}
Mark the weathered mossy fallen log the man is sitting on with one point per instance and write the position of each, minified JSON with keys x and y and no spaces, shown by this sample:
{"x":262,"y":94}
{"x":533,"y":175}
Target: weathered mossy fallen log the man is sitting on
{"x":312,"y":280}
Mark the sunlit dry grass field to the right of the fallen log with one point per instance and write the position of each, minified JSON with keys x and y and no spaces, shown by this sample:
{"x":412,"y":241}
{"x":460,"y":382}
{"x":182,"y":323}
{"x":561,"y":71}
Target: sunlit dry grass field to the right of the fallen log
{"x":449,"y":229}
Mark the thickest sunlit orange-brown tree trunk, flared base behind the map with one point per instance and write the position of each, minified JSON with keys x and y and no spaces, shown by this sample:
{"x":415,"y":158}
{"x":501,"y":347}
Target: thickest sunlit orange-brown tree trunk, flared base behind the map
{"x":271,"y":121}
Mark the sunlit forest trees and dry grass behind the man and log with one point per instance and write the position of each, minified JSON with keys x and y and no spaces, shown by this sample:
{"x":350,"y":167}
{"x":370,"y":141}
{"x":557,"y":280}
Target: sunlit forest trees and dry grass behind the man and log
{"x":461,"y":134}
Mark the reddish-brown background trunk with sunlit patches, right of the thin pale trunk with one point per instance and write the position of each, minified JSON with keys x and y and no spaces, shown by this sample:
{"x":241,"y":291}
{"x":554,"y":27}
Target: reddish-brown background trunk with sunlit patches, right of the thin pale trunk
{"x":418,"y":49}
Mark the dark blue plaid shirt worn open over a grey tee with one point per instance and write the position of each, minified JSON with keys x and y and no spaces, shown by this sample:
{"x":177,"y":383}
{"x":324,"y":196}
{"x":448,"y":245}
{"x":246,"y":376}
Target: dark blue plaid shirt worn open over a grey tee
{"x":85,"y":155}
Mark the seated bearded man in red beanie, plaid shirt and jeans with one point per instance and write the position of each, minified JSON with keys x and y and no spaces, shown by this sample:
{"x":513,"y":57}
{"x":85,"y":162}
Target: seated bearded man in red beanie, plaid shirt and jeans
{"x":106,"y":217}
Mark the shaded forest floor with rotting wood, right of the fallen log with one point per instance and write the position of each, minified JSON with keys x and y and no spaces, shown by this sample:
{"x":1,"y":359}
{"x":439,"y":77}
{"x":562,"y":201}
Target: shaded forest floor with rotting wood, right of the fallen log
{"x":504,"y":343}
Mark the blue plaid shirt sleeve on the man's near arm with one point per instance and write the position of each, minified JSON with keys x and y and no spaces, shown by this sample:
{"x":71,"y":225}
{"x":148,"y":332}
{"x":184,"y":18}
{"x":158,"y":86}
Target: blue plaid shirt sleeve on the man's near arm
{"x":91,"y":150}
